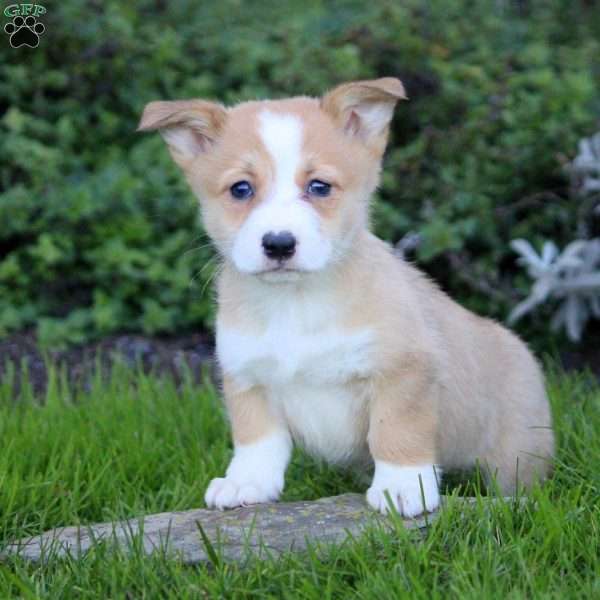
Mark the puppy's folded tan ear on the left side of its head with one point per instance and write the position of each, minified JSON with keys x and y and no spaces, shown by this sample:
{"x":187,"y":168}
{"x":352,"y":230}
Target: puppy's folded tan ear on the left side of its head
{"x":189,"y":127}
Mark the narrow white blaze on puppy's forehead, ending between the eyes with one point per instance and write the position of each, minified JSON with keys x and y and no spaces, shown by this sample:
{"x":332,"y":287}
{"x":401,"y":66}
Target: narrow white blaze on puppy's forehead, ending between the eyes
{"x":282,"y":136}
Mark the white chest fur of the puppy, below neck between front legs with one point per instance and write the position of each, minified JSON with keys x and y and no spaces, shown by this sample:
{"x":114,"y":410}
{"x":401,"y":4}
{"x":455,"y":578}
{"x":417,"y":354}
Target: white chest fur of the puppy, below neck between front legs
{"x":310,"y":369}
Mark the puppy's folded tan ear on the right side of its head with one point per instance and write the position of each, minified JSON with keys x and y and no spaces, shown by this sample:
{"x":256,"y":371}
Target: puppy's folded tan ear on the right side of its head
{"x":364,"y":108}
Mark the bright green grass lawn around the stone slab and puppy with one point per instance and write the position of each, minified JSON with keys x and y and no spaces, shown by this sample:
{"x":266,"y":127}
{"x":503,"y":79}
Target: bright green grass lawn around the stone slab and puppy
{"x":135,"y":444}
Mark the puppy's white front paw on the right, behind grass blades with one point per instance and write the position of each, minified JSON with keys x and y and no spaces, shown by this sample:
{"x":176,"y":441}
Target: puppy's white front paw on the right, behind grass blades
{"x":403,"y":486}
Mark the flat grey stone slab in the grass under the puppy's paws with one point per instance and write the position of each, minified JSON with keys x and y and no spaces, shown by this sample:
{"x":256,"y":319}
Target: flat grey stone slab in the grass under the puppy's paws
{"x":196,"y":536}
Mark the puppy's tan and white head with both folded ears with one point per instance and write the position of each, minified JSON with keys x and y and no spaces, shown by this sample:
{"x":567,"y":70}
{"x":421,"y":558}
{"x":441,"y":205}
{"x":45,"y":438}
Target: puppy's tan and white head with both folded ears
{"x":284,"y":184}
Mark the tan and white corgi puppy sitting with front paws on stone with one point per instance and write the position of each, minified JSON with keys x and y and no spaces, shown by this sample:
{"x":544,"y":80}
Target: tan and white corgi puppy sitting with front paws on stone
{"x":325,"y":337}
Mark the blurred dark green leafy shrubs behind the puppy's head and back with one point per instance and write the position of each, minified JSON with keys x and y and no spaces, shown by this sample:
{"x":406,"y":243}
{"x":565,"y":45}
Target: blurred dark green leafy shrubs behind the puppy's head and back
{"x":99,"y":233}
